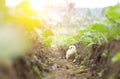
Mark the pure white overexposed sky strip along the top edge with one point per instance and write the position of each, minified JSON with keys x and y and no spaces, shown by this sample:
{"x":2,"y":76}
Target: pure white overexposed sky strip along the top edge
{"x":40,"y":4}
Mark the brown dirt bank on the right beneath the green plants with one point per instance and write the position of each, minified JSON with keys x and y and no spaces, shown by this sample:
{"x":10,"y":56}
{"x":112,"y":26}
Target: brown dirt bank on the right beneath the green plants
{"x":98,"y":59}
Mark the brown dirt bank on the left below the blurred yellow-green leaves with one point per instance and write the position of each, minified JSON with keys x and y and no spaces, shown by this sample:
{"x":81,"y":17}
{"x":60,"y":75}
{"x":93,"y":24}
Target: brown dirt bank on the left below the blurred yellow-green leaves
{"x":29,"y":66}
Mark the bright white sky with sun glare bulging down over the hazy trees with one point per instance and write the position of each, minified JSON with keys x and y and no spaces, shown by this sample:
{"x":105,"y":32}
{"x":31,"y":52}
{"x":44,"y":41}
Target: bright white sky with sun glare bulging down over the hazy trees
{"x":52,"y":9}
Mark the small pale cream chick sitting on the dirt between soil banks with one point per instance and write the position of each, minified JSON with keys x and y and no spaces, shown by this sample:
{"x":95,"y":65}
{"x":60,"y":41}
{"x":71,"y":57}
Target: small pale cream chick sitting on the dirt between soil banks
{"x":71,"y":52}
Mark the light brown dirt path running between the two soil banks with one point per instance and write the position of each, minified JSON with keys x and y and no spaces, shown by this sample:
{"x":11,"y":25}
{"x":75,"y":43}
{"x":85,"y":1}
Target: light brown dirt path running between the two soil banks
{"x":64,"y":69}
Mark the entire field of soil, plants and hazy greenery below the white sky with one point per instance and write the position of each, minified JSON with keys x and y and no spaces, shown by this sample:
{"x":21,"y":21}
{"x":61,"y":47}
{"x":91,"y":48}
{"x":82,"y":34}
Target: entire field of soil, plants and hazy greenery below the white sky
{"x":35,"y":48}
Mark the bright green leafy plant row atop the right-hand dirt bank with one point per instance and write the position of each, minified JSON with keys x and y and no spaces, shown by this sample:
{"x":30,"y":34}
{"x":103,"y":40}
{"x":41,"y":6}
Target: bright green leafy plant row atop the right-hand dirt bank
{"x":101,"y":32}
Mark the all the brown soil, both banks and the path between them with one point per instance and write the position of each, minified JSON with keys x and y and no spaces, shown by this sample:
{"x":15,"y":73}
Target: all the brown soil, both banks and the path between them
{"x":93,"y":62}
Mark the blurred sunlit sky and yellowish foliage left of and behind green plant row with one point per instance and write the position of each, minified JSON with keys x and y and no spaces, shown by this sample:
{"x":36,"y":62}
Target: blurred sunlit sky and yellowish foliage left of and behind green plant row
{"x":51,"y":21}
